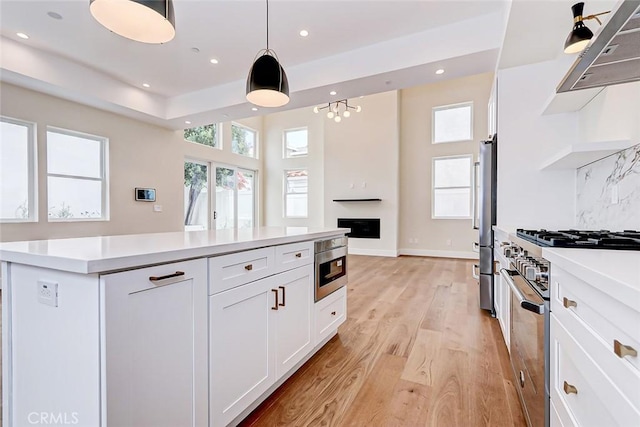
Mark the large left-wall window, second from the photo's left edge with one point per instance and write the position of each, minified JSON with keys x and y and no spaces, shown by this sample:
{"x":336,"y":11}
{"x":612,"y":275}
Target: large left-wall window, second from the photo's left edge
{"x":76,"y":176}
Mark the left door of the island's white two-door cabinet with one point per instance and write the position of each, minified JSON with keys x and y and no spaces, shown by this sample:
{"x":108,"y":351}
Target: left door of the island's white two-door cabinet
{"x":241,"y":358}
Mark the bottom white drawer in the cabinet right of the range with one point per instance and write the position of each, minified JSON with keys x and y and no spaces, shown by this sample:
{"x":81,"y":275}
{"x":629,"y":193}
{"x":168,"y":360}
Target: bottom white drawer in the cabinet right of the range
{"x":595,"y":401}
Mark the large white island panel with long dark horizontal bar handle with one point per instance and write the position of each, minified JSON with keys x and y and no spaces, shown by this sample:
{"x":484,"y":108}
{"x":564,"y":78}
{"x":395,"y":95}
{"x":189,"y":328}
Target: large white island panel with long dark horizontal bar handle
{"x":155,"y":348}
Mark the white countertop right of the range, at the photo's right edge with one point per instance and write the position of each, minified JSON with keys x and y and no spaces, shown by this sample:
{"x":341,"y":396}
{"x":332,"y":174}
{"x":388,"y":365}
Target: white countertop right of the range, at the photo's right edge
{"x":615,"y":272}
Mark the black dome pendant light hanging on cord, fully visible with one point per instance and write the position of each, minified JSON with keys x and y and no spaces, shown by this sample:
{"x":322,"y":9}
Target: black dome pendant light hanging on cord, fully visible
{"x":267,"y":84}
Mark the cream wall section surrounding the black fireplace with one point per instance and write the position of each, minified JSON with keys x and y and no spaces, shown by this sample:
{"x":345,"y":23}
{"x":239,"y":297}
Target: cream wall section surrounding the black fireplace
{"x":361,"y":160}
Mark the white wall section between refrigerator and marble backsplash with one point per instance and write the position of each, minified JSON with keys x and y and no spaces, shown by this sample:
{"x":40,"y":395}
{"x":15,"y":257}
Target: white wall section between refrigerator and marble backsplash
{"x":528,"y":197}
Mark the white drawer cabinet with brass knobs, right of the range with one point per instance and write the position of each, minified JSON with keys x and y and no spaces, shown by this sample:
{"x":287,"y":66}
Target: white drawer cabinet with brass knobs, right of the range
{"x":593,"y":380}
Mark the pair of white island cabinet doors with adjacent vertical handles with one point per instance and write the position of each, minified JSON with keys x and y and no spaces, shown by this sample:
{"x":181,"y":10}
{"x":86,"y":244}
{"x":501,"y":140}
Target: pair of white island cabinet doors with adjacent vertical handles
{"x":259,"y":332}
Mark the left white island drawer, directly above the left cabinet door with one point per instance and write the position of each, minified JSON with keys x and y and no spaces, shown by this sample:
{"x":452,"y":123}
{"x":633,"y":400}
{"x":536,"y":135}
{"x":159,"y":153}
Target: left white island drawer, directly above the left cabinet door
{"x":229,"y":271}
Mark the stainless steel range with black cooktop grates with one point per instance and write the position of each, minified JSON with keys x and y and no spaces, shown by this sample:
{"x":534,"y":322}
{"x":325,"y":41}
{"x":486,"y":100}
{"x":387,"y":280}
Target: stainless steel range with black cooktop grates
{"x":528,"y":278}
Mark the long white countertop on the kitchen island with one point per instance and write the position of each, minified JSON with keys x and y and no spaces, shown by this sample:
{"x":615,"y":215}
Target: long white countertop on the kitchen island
{"x":109,"y":253}
